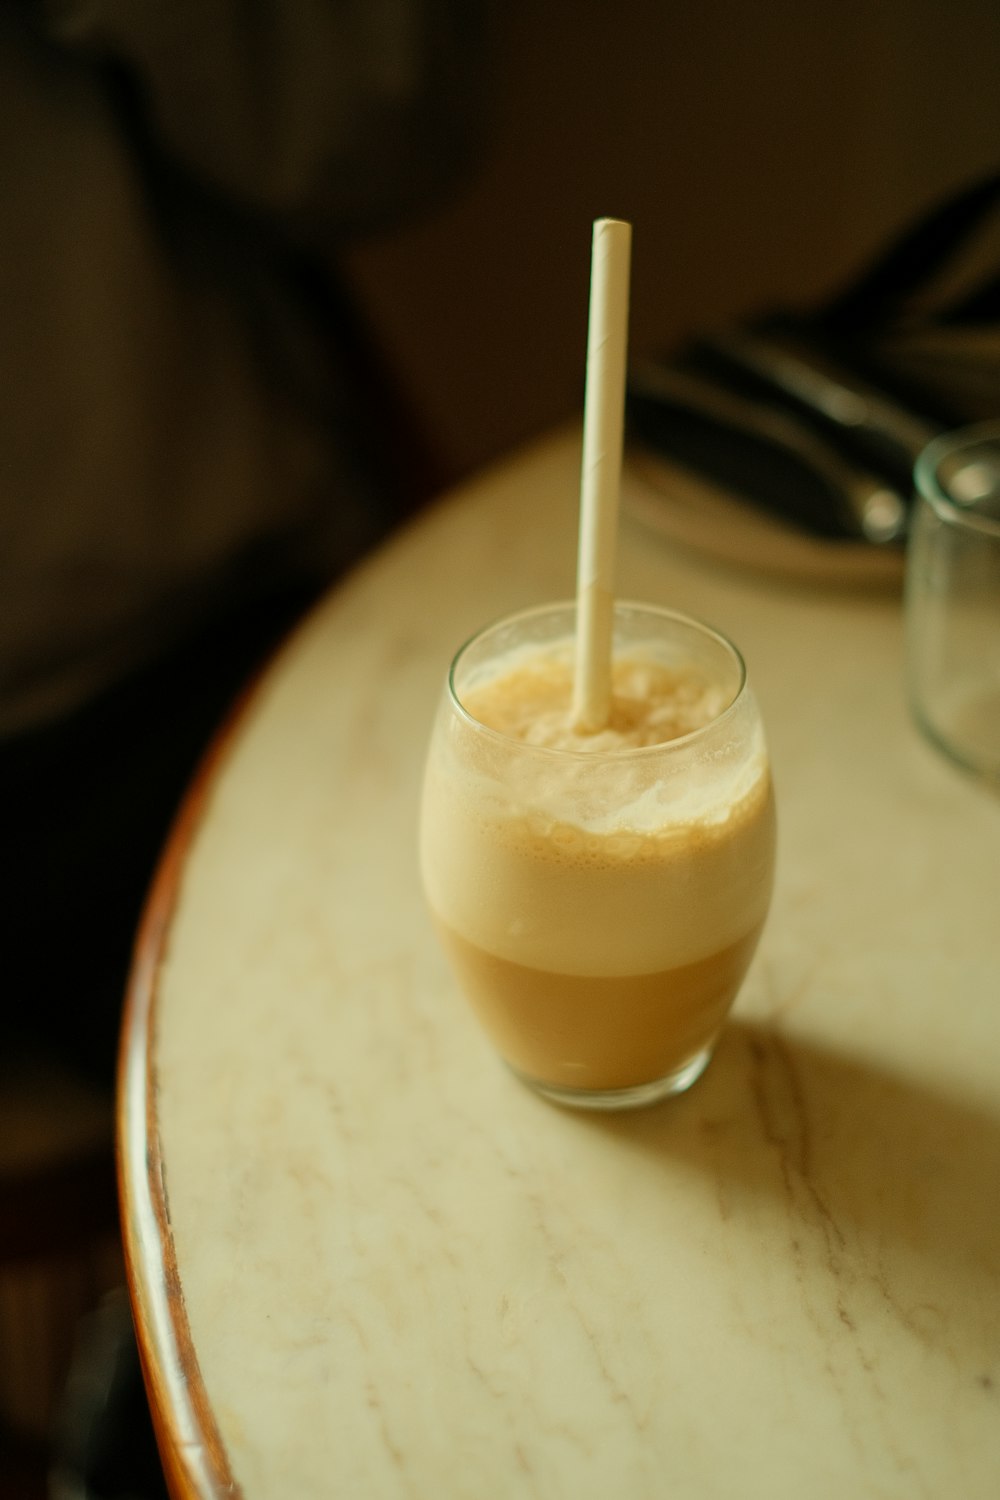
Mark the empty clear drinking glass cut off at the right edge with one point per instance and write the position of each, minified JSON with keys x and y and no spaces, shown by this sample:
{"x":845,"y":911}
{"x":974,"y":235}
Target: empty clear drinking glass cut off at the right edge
{"x":953,"y":598}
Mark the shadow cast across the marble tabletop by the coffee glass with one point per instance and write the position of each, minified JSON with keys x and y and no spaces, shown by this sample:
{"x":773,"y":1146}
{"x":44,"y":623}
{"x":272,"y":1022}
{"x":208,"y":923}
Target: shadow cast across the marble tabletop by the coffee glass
{"x":876,"y":1187}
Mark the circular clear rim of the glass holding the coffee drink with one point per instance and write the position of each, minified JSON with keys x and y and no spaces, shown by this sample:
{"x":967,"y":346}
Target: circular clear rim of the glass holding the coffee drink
{"x":564,"y":754}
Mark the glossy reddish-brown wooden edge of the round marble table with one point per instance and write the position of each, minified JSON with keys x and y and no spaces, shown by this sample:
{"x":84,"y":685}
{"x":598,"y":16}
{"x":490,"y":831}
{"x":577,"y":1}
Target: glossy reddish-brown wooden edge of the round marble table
{"x":193,"y":1453}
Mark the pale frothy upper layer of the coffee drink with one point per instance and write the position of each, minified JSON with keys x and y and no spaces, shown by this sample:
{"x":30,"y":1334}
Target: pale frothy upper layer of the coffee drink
{"x":597,"y":856}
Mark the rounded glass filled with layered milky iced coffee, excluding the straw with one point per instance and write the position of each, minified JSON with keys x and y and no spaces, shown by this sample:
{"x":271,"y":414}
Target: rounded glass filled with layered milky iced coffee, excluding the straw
{"x":600,"y":896}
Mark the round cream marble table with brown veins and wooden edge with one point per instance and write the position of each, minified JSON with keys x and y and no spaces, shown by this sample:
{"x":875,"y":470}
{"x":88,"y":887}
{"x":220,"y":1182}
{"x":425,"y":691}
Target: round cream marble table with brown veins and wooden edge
{"x":367,"y":1262}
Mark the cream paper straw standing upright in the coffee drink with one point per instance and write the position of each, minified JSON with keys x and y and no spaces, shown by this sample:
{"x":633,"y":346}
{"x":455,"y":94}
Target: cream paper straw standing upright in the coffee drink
{"x":600,"y":481}
